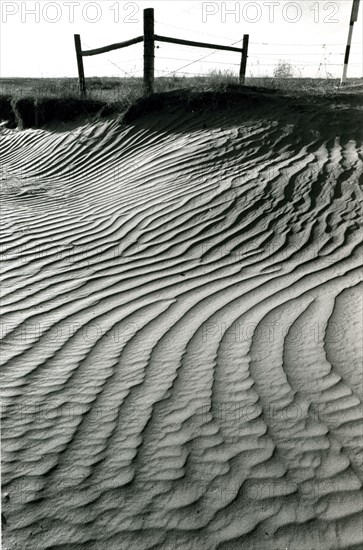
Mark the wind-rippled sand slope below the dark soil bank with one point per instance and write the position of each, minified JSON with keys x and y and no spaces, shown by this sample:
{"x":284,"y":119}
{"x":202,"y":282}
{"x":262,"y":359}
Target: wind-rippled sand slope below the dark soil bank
{"x":181,"y":321}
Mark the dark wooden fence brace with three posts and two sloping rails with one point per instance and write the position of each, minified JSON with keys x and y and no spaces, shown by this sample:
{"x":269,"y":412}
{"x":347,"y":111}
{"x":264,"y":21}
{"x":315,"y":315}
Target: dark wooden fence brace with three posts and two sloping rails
{"x":149,"y":38}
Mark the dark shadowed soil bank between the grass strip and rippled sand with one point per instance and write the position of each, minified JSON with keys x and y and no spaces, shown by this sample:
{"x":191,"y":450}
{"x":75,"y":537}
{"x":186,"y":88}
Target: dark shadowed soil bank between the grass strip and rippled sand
{"x":25,"y":113}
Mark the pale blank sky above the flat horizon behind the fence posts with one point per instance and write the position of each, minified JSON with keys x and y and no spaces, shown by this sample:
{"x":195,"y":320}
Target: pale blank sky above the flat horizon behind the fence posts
{"x":36,"y":38}
